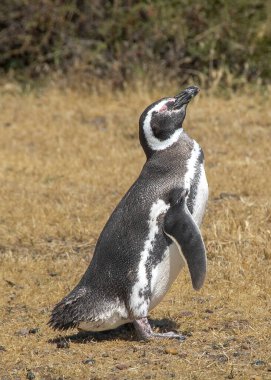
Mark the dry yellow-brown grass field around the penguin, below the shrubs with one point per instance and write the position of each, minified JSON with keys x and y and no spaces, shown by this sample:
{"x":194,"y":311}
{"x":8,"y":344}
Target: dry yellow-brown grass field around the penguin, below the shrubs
{"x":66,"y":159}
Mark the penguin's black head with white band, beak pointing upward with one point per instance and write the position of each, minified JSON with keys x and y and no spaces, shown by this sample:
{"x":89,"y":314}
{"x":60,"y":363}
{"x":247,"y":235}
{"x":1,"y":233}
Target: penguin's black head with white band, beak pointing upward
{"x":160,"y":125}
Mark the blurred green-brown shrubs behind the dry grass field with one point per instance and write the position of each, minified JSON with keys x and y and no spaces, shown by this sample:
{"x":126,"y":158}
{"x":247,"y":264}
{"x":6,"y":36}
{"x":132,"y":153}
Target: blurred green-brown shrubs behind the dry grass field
{"x":211,"y":42}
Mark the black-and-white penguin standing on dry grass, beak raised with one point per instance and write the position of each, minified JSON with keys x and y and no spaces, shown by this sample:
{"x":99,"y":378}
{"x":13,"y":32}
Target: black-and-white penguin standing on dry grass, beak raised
{"x":152,"y":233}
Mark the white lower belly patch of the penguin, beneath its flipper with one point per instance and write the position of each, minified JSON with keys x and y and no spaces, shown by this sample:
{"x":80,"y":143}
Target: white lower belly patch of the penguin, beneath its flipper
{"x":165,"y":273}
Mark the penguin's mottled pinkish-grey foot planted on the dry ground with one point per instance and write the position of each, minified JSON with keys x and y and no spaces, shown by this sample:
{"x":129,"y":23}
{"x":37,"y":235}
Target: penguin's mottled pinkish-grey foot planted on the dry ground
{"x":144,"y":331}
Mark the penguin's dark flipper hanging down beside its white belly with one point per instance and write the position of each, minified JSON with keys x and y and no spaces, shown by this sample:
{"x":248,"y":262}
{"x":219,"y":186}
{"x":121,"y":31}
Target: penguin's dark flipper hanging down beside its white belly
{"x":181,"y":228}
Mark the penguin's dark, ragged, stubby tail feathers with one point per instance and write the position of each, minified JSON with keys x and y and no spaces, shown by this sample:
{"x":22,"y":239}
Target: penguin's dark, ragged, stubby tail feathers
{"x":70,"y":310}
